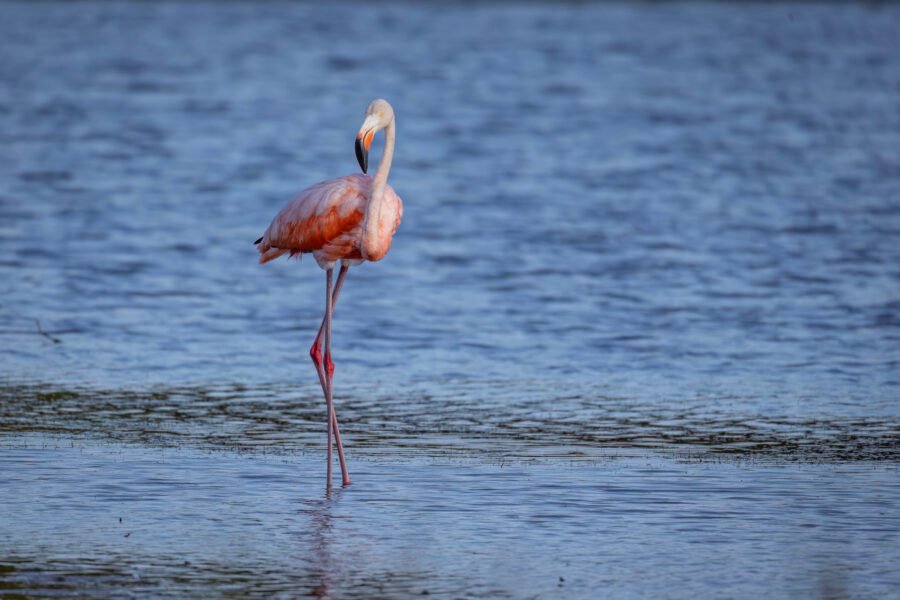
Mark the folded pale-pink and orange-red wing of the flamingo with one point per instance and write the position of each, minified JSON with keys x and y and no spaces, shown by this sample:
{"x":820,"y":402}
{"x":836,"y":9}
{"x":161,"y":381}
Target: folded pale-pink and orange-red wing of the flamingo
{"x":324,"y":219}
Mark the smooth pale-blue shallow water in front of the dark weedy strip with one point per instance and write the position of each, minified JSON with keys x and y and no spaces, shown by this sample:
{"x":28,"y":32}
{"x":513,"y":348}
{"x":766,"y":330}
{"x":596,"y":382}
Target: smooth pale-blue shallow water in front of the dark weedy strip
{"x":83,"y":516}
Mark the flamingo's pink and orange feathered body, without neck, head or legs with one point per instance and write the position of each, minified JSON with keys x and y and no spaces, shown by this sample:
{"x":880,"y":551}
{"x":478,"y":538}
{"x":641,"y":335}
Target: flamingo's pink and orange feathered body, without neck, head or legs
{"x":327,"y":220}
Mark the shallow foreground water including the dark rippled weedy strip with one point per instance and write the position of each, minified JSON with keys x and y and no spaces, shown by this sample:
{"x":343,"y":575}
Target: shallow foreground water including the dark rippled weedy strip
{"x":195,"y":490}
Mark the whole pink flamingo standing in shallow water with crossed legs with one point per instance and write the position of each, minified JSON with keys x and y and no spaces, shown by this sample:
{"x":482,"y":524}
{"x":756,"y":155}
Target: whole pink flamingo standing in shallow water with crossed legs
{"x":351,"y":219}
